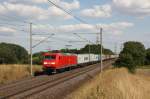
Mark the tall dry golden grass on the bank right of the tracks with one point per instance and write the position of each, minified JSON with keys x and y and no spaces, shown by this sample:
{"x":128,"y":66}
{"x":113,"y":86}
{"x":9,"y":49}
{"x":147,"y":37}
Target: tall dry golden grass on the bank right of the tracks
{"x":116,"y":84}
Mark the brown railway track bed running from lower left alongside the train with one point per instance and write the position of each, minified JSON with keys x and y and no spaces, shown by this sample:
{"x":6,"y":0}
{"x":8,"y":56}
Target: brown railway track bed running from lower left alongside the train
{"x":33,"y":86}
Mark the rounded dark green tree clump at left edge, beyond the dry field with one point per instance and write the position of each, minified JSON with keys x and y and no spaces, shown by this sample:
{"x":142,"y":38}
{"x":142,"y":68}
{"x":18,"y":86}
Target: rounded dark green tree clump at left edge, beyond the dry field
{"x":12,"y":53}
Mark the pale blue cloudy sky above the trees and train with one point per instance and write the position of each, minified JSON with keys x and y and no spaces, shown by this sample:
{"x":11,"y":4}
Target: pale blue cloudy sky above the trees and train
{"x":121,"y":20}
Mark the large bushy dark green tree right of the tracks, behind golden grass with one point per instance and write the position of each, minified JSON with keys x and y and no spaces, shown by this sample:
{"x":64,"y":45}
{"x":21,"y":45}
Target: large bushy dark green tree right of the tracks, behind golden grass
{"x":133,"y":55}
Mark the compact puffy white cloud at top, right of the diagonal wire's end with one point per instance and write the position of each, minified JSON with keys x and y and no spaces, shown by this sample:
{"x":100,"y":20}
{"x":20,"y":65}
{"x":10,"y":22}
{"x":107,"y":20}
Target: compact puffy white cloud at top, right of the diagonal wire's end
{"x":103,"y":11}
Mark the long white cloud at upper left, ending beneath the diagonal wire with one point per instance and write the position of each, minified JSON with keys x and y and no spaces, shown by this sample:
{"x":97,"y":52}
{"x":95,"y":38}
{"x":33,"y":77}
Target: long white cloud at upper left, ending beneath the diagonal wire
{"x":32,"y":12}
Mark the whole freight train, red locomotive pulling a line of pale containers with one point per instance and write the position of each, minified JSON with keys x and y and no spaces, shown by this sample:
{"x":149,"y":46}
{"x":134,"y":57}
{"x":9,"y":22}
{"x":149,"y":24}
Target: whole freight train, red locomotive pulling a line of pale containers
{"x":54,"y":62}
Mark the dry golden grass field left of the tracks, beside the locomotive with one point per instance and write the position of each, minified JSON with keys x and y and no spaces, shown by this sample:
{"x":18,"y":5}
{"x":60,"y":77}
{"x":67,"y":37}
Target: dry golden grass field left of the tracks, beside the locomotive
{"x":9,"y":73}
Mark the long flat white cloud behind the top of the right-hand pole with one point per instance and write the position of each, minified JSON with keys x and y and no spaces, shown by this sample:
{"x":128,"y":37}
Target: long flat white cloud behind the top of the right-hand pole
{"x":113,"y":28}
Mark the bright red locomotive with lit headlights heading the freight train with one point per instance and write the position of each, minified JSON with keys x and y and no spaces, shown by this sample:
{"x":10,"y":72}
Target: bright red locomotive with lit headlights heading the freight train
{"x":57,"y":61}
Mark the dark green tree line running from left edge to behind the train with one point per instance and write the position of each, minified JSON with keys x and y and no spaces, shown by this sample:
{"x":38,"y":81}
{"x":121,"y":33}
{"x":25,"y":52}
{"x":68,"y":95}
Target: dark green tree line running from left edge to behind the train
{"x":15,"y":54}
